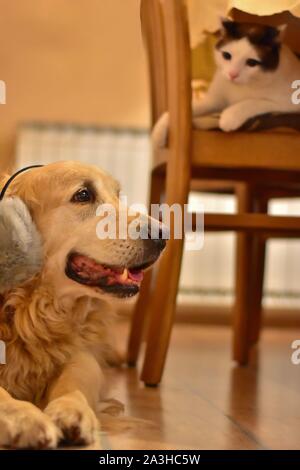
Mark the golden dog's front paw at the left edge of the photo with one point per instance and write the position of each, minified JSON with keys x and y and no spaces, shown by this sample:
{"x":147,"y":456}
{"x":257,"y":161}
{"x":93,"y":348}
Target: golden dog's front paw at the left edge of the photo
{"x":24,"y":426}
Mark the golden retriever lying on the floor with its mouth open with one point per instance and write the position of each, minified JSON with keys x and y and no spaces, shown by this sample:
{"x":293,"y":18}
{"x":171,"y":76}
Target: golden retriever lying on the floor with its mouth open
{"x":57,"y":326}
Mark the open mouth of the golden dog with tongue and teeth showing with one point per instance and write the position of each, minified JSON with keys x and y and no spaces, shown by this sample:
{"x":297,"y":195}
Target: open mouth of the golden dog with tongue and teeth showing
{"x":120,"y":281}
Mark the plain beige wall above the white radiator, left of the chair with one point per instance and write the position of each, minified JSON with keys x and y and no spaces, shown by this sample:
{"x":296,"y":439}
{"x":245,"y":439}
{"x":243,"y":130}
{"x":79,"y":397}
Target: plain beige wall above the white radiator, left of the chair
{"x":71,"y":60}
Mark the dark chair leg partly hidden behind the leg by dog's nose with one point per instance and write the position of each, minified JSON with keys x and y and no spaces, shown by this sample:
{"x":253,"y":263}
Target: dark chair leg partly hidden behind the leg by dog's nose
{"x":140,"y":313}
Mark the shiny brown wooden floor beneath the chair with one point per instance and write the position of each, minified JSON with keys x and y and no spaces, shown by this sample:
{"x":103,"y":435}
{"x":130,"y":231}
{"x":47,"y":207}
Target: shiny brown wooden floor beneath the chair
{"x":206,"y":402}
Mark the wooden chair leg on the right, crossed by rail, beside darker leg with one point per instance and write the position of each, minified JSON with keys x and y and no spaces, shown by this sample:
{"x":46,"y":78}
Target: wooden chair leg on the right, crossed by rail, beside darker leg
{"x":242,"y":308}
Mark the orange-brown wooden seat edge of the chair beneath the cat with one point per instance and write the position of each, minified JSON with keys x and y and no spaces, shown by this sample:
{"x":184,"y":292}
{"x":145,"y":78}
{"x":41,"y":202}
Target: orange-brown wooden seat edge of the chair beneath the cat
{"x":236,"y":155}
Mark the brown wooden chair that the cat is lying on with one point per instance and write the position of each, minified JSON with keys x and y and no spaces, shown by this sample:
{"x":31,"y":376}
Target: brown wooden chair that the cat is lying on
{"x":262,"y":165}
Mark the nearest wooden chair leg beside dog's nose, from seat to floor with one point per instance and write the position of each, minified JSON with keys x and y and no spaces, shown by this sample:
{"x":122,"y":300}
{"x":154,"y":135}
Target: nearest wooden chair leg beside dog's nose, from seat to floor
{"x":163,"y":296}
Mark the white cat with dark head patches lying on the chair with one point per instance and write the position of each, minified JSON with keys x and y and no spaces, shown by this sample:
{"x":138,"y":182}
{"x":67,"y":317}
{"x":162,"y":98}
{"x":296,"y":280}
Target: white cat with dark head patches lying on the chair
{"x":254,"y":76}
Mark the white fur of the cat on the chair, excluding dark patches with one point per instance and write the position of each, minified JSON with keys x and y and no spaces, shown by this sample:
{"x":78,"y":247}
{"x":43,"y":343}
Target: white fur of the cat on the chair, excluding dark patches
{"x":253,"y":91}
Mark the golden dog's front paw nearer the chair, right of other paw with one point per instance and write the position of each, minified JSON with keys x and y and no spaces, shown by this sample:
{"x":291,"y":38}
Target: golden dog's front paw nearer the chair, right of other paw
{"x":74,"y":417}
